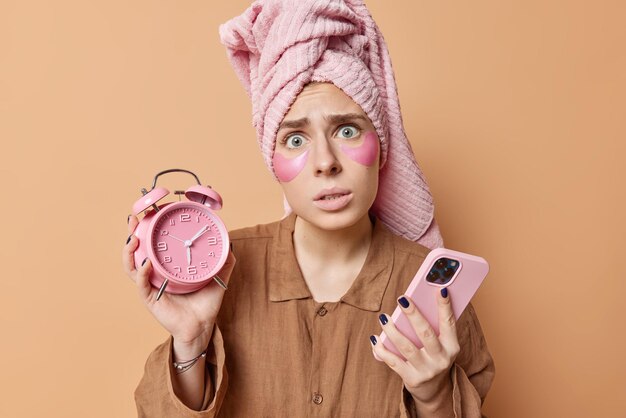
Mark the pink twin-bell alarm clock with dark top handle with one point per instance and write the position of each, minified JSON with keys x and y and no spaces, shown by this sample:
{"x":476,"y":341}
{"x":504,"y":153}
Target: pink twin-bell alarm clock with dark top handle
{"x":186,"y":241}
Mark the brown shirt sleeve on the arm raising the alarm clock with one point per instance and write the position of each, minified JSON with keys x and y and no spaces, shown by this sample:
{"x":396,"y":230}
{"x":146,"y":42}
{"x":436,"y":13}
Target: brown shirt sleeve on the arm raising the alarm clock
{"x":155,"y":397}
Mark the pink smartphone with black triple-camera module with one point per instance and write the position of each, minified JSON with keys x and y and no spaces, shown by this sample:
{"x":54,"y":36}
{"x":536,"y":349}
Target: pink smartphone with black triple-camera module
{"x":461,"y":273}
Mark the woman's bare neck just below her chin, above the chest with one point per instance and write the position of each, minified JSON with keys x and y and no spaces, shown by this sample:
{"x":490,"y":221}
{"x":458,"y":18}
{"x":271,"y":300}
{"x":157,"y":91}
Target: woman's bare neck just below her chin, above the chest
{"x":333,"y":245}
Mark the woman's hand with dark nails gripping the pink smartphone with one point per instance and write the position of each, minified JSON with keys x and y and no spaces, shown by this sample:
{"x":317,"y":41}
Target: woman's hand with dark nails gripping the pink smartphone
{"x":426,"y":372}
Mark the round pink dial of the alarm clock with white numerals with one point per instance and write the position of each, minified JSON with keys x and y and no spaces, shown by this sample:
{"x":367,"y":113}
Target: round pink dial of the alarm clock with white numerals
{"x":187,"y":242}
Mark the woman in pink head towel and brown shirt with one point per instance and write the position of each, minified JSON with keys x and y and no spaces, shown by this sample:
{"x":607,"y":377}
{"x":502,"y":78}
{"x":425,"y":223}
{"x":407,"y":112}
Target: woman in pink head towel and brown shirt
{"x":289,"y":336}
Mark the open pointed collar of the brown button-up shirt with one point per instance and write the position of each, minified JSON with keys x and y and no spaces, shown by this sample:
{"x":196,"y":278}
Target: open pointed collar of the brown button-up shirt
{"x":286,"y":281}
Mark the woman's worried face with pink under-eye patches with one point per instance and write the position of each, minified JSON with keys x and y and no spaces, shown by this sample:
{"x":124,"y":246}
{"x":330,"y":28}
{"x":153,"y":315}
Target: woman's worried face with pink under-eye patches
{"x":327,"y":157}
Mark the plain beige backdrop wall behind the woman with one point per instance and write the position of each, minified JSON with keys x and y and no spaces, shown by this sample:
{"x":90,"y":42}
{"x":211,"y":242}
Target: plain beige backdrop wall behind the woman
{"x":516,"y":114}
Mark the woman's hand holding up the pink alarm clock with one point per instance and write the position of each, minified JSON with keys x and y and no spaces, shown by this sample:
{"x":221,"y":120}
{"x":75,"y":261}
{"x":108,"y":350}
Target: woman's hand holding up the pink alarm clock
{"x":189,"y":318}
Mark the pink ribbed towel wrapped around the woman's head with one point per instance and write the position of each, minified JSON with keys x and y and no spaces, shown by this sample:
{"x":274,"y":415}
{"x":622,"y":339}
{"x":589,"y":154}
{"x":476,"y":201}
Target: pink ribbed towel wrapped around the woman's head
{"x":278,"y":46}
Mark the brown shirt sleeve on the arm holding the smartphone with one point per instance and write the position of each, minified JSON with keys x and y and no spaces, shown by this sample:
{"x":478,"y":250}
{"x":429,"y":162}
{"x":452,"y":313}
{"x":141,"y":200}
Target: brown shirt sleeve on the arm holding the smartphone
{"x":472,"y":372}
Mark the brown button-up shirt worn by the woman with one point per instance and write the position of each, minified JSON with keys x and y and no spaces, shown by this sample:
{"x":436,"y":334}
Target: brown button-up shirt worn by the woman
{"x":276,"y":352}
